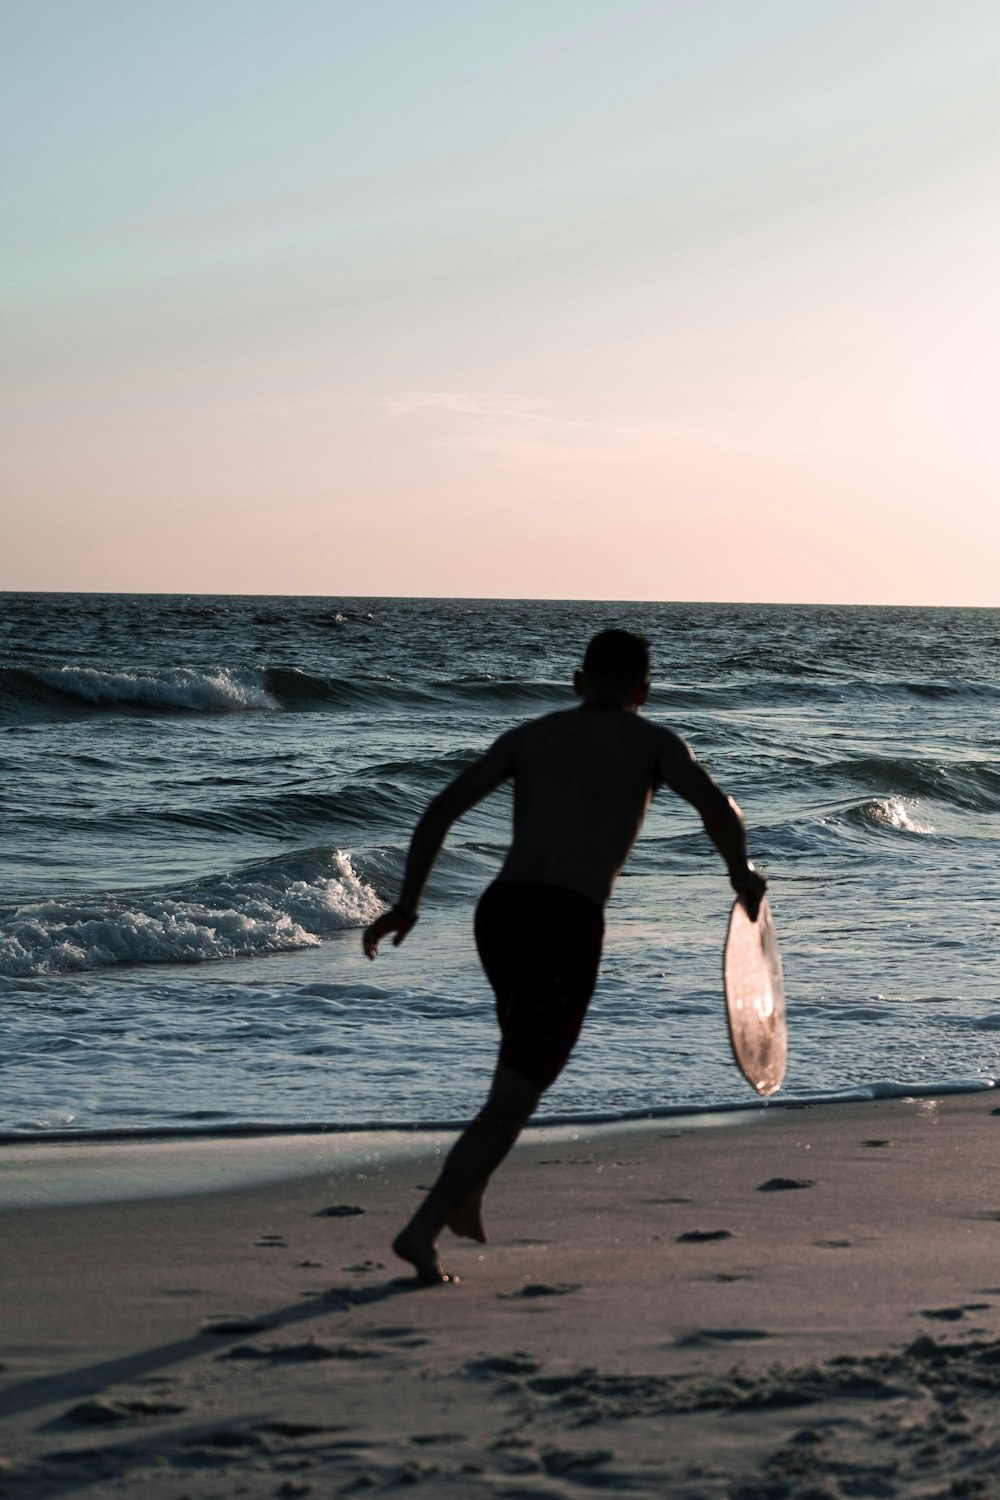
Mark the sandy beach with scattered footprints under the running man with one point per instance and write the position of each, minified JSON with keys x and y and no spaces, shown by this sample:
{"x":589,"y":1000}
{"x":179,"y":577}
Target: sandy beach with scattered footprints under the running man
{"x":797,"y":1301}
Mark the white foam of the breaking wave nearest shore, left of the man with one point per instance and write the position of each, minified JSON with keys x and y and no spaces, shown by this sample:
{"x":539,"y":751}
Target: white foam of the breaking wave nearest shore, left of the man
{"x":271,"y":910}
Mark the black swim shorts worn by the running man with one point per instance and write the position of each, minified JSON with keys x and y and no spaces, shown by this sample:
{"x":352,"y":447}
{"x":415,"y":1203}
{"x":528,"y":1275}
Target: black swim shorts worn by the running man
{"x":542,"y":949}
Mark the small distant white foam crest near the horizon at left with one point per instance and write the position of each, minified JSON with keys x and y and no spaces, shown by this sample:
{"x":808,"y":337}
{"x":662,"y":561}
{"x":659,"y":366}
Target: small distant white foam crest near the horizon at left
{"x":166,"y":688}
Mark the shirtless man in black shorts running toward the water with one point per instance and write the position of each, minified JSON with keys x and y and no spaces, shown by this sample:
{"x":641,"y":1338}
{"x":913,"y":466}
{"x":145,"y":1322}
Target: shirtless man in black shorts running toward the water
{"x":582,"y":781}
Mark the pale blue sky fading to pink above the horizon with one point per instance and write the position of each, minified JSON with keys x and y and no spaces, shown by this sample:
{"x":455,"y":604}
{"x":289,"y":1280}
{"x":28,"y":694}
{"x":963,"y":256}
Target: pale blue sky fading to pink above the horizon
{"x":566,"y":299}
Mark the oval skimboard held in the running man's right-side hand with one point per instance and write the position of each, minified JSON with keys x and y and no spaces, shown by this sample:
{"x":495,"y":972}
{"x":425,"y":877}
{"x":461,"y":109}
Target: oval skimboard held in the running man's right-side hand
{"x":755,"y":998}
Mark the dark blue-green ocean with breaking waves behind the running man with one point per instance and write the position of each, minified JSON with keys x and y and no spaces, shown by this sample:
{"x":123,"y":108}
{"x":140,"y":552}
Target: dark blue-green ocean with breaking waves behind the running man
{"x":205,"y":800}
